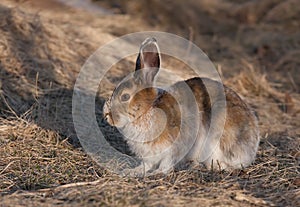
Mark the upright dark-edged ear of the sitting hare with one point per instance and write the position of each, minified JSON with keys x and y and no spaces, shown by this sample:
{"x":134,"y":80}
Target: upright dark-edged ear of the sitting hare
{"x":148,"y":61}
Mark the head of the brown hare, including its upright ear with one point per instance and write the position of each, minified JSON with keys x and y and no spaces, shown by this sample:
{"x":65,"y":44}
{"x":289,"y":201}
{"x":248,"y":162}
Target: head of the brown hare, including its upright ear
{"x":135,"y":94}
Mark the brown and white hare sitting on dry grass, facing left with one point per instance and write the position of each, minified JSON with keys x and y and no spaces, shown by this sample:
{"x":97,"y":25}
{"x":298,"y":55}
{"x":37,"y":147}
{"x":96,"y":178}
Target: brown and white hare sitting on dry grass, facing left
{"x":135,"y":108}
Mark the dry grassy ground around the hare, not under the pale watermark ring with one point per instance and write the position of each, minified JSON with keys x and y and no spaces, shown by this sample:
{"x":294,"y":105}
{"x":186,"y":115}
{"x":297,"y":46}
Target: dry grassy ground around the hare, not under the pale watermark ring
{"x":255,"y":46}
